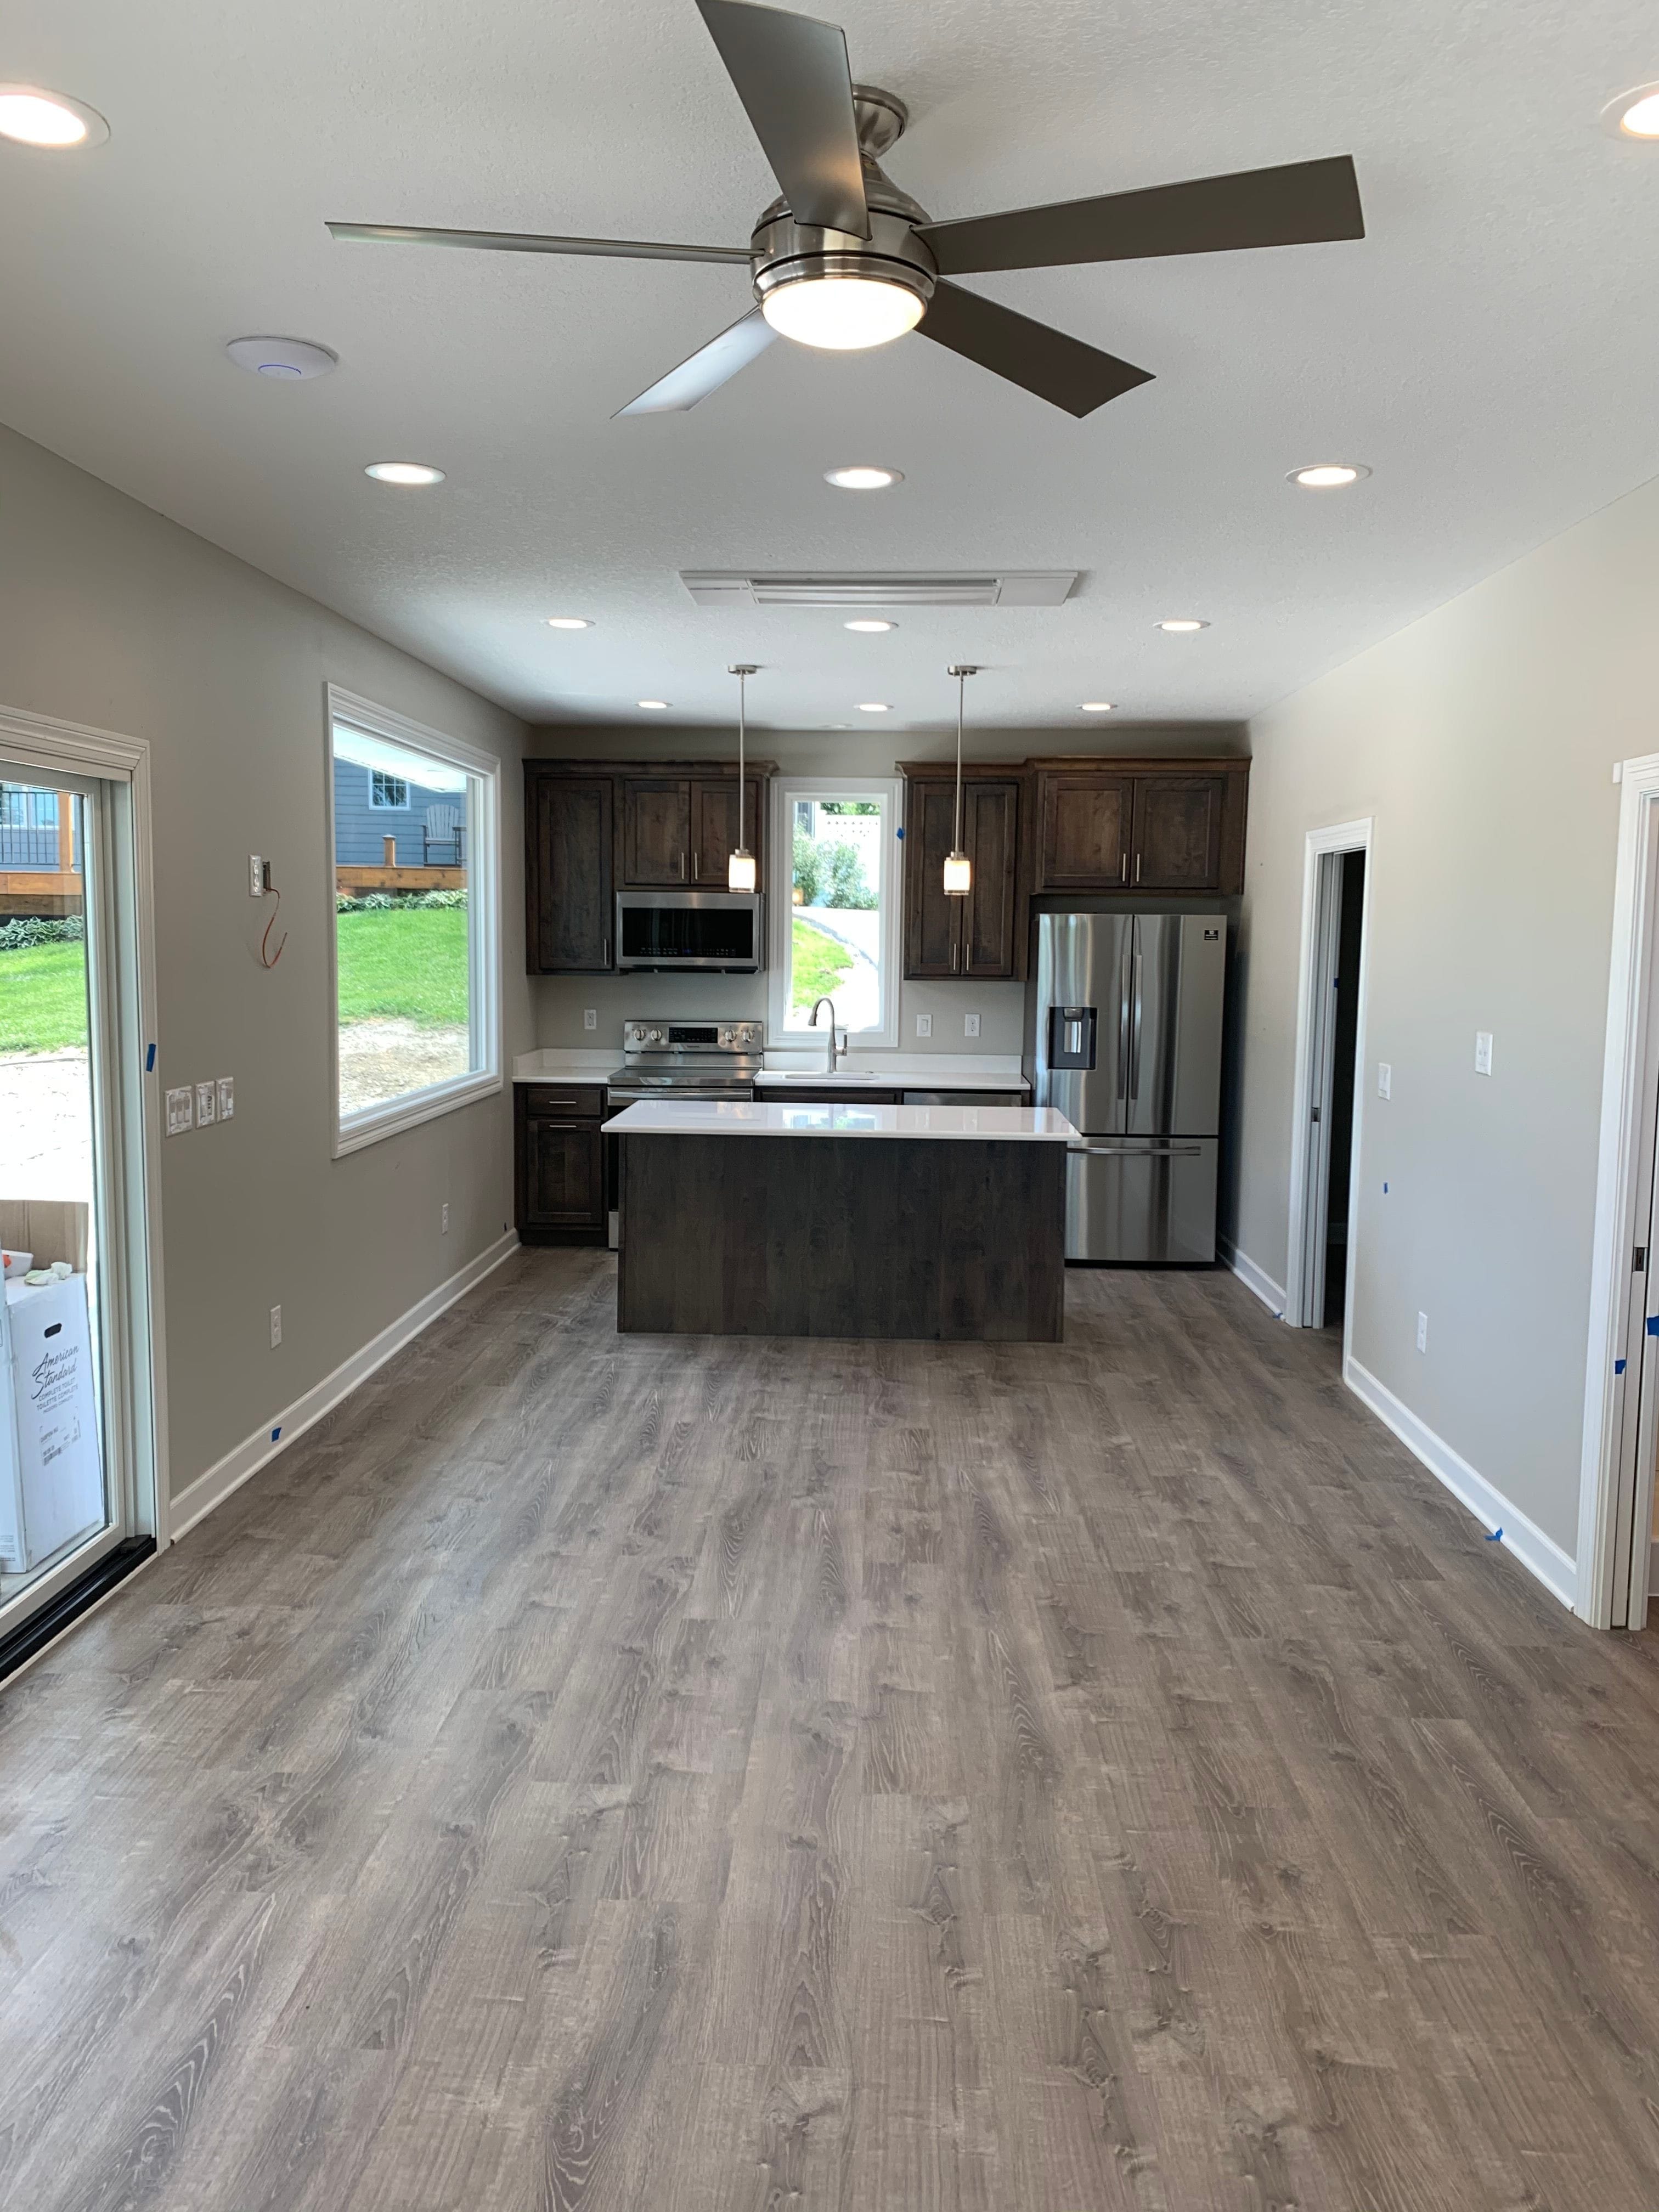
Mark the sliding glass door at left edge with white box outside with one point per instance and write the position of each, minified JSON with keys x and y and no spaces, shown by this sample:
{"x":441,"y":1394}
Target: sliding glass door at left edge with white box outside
{"x":79,"y":1415}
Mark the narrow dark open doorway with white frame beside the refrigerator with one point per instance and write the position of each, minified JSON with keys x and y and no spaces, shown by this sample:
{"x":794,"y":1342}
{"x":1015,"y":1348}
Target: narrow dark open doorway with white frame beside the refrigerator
{"x":1331,"y":1041}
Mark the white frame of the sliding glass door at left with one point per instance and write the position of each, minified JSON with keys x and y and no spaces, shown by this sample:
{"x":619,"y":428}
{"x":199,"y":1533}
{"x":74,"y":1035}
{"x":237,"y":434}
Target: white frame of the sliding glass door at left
{"x":48,"y":747}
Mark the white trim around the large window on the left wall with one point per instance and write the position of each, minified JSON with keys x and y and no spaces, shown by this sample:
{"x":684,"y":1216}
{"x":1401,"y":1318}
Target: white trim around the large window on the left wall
{"x":483,"y":937}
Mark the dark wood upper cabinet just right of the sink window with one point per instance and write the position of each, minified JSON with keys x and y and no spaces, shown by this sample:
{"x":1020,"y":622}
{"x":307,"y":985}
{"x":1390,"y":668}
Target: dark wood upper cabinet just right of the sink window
{"x":961,"y":937}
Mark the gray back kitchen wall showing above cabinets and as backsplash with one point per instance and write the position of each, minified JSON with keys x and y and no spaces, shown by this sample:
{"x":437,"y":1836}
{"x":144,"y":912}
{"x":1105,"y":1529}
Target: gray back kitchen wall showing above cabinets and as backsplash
{"x":831,"y":753}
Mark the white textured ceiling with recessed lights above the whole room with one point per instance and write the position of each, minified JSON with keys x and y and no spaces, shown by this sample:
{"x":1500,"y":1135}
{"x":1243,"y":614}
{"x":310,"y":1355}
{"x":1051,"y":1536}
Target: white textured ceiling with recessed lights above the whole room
{"x":1490,"y":351}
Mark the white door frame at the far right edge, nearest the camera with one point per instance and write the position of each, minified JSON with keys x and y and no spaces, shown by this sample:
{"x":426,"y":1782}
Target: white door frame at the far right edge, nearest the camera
{"x":1629,"y":1074}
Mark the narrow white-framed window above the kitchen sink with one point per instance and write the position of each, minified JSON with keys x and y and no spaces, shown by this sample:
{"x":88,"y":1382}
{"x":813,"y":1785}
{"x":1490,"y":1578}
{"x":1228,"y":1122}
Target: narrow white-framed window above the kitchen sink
{"x":835,"y":906}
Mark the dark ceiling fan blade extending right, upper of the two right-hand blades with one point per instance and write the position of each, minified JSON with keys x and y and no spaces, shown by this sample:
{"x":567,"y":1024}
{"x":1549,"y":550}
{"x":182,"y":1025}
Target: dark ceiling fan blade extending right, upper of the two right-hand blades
{"x":1297,"y":205}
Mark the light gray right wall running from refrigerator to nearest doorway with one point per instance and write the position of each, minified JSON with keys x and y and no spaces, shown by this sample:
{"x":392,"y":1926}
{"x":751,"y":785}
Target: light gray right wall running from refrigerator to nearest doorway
{"x":1481,"y":740}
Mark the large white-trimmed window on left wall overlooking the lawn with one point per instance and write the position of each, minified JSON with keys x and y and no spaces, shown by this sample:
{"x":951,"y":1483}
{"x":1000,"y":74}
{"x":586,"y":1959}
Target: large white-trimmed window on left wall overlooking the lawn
{"x":417,"y":926}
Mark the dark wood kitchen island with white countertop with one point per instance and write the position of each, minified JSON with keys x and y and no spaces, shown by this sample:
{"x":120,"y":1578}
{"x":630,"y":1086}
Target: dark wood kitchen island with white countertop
{"x":837,"y":1220}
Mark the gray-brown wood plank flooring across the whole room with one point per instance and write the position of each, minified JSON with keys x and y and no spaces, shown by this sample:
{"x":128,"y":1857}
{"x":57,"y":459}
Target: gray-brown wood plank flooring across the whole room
{"x":729,"y":1775}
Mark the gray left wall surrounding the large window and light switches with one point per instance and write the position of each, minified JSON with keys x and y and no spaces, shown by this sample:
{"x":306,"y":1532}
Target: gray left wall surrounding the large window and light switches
{"x":116,"y":618}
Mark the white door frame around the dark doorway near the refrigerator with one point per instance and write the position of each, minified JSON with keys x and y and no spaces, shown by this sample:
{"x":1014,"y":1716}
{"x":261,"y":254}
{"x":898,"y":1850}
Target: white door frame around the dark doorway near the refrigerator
{"x":1313,"y":1067}
